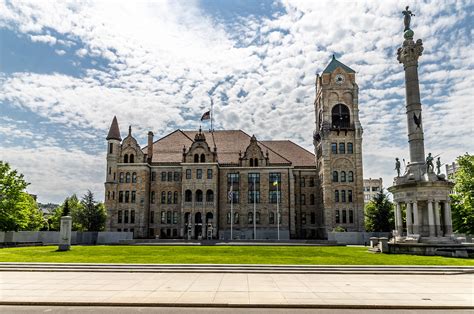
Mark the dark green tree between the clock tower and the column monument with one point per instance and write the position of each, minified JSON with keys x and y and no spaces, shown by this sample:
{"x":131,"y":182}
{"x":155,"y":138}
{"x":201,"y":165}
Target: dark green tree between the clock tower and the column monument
{"x":379,"y":214}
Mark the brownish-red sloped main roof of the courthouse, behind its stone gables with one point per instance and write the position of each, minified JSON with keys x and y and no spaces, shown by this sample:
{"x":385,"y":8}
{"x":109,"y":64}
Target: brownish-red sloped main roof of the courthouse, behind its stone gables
{"x":229,"y":143}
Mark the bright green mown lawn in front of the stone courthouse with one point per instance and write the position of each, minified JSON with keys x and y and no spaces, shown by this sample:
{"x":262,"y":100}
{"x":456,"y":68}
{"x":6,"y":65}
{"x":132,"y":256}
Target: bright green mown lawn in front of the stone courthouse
{"x":324,"y":255}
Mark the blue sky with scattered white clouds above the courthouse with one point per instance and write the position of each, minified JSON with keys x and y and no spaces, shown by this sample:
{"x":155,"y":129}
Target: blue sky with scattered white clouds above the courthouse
{"x":67,"y":67}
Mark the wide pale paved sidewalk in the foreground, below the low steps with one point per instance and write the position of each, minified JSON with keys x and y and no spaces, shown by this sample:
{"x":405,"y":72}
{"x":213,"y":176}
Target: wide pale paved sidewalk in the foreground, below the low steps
{"x":235,"y":289}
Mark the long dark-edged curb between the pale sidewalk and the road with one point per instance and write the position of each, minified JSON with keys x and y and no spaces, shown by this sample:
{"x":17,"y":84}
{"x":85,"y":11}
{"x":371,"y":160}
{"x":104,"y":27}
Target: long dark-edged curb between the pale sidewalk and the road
{"x":229,"y":305}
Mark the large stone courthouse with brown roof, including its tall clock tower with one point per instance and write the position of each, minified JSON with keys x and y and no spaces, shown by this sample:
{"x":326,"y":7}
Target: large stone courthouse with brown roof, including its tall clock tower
{"x":187,"y":183}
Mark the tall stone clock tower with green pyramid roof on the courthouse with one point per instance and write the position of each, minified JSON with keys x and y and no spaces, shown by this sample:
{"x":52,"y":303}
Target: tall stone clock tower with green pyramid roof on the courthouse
{"x":338,"y":148}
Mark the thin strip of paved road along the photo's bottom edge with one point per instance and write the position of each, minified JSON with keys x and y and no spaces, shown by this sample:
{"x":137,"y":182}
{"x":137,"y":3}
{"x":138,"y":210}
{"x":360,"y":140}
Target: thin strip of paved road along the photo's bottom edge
{"x":178,"y":310}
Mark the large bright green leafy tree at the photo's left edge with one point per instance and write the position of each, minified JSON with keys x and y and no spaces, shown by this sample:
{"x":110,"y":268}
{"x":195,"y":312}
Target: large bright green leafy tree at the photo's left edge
{"x":18,"y":210}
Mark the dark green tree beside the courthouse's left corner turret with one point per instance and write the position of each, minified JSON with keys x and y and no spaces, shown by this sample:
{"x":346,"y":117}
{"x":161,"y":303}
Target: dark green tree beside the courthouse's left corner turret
{"x":92,"y":216}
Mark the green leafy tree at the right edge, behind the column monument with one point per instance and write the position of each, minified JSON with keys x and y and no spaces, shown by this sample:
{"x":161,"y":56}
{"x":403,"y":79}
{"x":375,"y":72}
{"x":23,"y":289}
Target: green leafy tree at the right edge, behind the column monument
{"x":462,"y":205}
